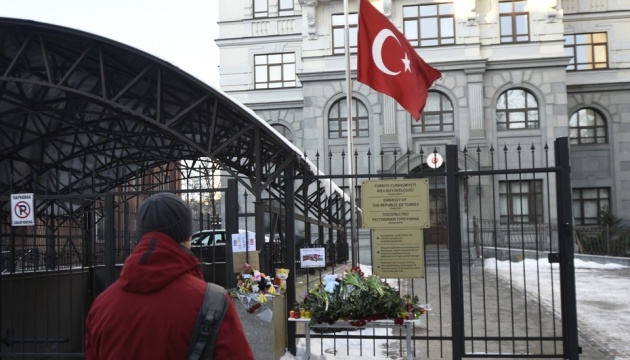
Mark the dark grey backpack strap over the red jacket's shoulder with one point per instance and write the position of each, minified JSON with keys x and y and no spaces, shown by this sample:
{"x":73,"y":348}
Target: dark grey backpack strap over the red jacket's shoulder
{"x":208,"y":323}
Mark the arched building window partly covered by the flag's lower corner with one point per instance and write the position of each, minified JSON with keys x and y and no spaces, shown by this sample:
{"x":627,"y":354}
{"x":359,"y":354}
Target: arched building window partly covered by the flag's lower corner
{"x":436,"y":116}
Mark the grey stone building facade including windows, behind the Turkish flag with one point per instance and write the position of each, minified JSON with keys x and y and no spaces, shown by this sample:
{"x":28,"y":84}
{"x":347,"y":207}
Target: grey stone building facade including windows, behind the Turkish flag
{"x":517,"y":72}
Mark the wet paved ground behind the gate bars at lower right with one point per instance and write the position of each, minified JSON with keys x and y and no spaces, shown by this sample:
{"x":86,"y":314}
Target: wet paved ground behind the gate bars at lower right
{"x":506,"y":304}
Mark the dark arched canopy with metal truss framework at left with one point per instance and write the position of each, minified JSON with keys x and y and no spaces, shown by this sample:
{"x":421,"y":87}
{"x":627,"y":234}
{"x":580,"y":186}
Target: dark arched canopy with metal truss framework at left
{"x":84,"y":114}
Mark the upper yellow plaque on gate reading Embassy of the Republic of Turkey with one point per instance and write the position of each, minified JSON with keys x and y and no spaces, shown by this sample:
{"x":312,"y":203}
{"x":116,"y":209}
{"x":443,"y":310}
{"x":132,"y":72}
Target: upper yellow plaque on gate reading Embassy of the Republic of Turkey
{"x":393,"y":204}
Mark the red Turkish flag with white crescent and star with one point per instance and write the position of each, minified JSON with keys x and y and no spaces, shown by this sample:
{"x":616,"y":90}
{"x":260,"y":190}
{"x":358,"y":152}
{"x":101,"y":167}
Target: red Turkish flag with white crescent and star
{"x":388,"y":63}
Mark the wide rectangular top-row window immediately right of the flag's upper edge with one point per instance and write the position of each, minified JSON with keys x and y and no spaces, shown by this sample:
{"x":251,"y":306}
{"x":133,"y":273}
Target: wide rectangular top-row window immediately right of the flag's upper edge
{"x":429,"y":25}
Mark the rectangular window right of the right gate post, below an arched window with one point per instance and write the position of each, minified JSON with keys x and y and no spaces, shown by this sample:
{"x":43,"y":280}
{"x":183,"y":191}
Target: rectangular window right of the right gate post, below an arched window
{"x":588,"y":204}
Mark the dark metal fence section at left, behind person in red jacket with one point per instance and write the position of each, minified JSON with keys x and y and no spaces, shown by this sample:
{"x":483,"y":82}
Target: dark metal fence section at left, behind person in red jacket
{"x":52,"y":271}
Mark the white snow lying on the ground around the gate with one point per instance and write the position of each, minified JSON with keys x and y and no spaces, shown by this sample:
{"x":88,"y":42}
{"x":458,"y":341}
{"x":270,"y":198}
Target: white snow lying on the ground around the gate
{"x":602,"y":293}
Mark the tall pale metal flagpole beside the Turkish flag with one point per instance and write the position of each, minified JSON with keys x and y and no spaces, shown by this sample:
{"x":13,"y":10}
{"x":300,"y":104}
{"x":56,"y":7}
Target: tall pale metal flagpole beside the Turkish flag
{"x":353,"y":231}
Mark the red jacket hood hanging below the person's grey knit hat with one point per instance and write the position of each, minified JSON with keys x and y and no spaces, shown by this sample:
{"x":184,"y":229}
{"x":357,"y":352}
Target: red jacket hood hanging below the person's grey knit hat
{"x":155,"y":262}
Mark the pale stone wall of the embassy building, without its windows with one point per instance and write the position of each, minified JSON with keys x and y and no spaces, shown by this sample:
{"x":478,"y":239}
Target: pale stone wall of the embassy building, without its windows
{"x":476,"y":70}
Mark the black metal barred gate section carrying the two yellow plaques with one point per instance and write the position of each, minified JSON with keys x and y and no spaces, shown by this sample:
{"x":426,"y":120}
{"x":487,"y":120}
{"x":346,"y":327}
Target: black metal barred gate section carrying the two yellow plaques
{"x":498,"y":257}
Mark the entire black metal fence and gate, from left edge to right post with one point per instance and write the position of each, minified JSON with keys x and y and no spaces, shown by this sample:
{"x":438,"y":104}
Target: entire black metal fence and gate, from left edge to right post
{"x":498,"y":257}
